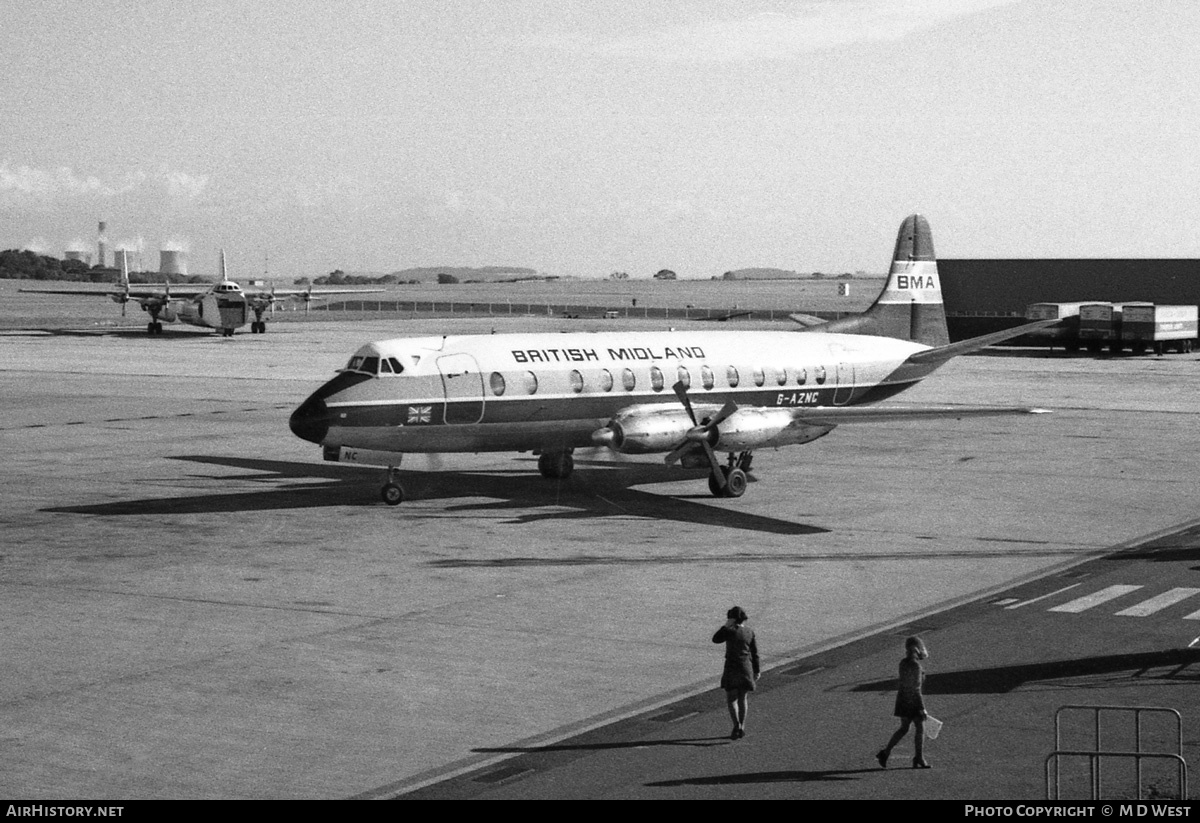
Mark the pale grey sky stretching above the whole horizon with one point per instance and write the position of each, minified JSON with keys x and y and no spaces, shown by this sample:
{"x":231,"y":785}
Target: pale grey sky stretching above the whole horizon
{"x":586,"y":137}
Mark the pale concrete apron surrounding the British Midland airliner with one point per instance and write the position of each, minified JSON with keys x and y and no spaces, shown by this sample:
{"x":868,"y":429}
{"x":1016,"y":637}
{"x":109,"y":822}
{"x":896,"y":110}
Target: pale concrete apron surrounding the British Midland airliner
{"x":196,"y":606}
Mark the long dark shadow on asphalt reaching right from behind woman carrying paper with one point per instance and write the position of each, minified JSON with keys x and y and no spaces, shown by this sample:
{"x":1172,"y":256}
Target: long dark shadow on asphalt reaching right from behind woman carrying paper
{"x":1171,"y":666}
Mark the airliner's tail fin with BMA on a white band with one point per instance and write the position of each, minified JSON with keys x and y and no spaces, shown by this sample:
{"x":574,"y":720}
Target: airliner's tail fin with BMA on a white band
{"x":910,"y":308}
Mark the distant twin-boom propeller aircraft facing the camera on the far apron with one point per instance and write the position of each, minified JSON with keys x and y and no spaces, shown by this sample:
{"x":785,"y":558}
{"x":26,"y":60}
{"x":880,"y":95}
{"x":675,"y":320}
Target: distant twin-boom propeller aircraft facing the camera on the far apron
{"x":224,"y":307}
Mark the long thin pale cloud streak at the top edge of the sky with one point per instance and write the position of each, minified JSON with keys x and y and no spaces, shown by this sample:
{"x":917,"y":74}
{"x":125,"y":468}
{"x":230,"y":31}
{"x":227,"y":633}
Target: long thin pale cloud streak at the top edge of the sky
{"x":815,"y":26}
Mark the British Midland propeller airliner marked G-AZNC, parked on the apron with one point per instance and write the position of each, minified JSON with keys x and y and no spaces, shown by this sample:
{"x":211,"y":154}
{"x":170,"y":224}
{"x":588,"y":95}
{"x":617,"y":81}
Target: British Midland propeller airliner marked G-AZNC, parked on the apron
{"x":687,"y":394}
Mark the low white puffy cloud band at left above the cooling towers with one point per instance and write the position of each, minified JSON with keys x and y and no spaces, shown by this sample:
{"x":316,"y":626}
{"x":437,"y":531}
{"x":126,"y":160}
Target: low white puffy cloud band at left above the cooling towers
{"x":25,"y":184}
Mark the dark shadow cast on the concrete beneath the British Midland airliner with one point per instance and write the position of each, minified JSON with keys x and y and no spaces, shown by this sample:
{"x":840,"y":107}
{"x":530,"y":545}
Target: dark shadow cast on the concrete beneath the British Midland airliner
{"x":589,"y":495}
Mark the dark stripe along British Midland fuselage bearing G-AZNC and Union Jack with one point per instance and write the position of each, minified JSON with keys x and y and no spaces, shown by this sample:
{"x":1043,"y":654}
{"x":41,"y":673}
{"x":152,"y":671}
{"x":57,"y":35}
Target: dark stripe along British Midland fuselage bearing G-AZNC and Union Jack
{"x":525,"y":410}
